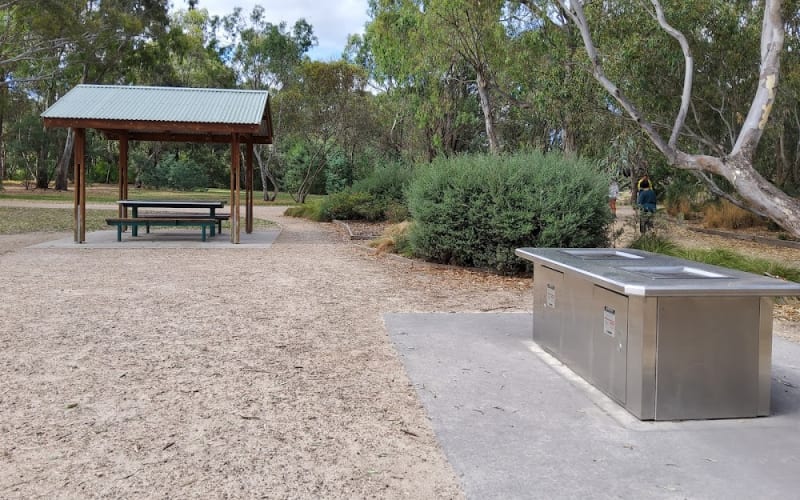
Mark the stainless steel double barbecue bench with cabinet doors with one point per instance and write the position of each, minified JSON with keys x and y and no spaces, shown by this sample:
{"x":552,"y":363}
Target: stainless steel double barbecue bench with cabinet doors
{"x":668,"y":339}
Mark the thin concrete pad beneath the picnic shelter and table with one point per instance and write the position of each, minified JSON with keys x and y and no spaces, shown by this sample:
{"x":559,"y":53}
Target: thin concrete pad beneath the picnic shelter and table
{"x":167,"y":238}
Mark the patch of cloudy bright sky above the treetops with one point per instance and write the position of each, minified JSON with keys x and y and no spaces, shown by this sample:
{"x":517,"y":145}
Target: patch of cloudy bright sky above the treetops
{"x":332,"y":20}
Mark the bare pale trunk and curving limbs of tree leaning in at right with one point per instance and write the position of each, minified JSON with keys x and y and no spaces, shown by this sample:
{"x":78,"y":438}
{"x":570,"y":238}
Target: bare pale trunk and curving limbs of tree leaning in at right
{"x":736,"y":164}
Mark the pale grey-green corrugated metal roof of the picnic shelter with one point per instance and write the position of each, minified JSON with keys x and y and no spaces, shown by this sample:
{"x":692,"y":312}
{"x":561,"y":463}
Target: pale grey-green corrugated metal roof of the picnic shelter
{"x":160,"y":104}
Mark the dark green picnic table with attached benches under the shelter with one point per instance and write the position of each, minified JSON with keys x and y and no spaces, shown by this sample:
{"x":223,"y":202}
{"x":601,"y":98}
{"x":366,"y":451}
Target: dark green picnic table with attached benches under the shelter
{"x":208,"y":220}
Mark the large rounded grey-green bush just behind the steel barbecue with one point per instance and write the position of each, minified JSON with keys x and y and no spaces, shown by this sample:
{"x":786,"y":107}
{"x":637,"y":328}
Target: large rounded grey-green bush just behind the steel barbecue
{"x":476,"y":210}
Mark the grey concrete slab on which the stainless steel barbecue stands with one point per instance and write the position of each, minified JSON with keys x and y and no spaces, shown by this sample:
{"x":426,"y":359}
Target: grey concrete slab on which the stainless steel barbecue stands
{"x":516,"y":423}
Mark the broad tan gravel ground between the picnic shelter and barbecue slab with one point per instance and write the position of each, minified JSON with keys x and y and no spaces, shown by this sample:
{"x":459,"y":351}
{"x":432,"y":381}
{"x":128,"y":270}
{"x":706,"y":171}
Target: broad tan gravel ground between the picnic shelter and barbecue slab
{"x":184,"y":373}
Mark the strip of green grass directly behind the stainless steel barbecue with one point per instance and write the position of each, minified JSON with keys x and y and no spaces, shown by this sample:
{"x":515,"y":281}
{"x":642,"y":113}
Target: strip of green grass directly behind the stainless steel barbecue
{"x":717,"y":257}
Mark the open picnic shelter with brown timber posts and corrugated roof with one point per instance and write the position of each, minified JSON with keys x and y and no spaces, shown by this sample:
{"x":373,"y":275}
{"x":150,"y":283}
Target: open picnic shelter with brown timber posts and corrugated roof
{"x":170,"y":114}
